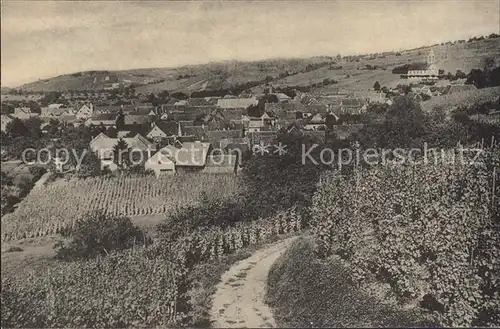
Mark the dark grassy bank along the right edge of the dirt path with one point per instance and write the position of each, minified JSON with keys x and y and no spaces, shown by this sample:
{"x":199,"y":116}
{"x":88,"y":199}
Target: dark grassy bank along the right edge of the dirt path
{"x":307,"y":292}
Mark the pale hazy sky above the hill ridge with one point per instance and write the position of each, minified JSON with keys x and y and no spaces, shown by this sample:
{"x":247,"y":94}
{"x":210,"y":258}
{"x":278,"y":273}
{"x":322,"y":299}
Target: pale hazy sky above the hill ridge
{"x":41,"y":39}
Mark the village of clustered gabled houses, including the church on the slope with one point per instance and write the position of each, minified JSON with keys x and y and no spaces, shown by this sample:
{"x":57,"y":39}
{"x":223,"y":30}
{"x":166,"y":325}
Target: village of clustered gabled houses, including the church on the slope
{"x":231,"y":127}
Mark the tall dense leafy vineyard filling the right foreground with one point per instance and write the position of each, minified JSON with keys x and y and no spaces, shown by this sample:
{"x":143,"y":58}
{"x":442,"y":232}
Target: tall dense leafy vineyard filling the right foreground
{"x":430,"y":231}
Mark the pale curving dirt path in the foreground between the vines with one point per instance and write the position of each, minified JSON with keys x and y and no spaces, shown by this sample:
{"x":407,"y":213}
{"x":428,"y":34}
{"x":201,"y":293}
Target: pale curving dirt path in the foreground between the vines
{"x":239,"y":299}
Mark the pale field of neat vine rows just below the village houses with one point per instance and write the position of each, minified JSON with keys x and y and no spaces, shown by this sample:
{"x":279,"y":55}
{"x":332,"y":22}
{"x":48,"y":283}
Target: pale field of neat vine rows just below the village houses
{"x":49,"y":210}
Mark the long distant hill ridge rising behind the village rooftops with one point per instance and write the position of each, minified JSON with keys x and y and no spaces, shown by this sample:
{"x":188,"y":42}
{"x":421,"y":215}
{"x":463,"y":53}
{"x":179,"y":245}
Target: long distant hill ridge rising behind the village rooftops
{"x":352,"y":75}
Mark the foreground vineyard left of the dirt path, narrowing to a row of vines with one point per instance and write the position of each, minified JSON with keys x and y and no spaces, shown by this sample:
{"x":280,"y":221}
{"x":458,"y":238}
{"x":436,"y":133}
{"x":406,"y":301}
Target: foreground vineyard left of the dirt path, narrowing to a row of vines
{"x":142,"y":287}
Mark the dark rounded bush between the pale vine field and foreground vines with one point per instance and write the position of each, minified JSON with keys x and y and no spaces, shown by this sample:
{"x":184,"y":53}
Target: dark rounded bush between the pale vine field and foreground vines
{"x":99,"y":234}
